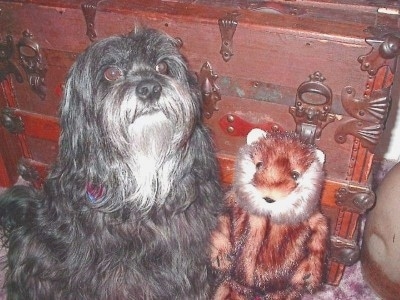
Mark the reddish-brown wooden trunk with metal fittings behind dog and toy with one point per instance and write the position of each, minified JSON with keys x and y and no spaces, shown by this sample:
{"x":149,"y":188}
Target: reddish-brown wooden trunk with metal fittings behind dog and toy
{"x":326,"y":69}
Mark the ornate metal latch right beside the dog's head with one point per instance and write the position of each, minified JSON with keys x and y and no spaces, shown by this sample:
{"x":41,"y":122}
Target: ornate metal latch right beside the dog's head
{"x":209,"y":89}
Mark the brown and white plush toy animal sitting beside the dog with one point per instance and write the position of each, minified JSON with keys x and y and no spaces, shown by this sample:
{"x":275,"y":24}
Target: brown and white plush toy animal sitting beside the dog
{"x":271,"y":242}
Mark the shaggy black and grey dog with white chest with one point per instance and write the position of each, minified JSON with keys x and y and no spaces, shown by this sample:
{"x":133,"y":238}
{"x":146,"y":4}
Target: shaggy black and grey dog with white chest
{"x":127,"y":210}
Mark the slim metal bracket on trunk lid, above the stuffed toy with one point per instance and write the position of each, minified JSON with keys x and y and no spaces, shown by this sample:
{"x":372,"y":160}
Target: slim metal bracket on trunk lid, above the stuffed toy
{"x":227,"y":27}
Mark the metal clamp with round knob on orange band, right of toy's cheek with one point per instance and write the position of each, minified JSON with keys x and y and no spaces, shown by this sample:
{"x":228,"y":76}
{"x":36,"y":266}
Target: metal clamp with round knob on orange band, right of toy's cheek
{"x":355,"y":199}
